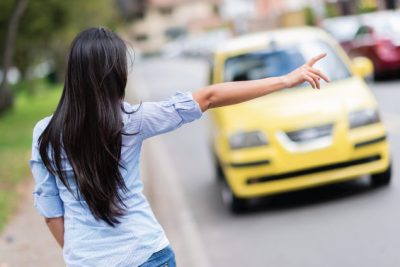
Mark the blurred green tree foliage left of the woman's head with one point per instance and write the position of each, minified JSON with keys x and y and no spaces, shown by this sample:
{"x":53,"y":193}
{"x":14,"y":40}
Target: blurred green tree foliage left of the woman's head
{"x":48,"y":26}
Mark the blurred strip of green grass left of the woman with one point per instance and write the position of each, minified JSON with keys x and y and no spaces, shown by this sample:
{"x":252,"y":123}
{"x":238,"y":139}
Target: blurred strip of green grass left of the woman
{"x":16,"y":128}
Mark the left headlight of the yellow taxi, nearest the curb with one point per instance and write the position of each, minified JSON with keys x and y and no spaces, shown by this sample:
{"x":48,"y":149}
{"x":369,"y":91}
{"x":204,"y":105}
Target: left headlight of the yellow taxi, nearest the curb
{"x":247,"y":139}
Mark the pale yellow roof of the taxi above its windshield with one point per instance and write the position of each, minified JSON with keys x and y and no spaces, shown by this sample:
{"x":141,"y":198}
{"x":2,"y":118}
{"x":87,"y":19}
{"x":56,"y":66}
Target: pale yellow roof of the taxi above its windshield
{"x":264,"y":39}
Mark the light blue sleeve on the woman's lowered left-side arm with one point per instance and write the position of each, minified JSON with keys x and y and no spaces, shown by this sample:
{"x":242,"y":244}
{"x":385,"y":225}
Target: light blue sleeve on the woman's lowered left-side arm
{"x":47,"y":200}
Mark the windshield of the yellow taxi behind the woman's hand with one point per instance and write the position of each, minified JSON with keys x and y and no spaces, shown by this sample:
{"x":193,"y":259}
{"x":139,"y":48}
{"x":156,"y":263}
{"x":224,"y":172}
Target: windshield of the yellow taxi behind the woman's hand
{"x":282,"y":60}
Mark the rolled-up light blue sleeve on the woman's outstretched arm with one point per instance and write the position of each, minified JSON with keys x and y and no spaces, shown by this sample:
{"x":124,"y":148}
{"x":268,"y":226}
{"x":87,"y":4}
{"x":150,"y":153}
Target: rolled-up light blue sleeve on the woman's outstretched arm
{"x":164,"y":116}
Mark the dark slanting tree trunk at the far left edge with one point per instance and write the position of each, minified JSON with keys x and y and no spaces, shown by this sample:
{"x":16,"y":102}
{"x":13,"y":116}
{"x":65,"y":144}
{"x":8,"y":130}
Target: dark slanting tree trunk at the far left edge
{"x":6,"y":97}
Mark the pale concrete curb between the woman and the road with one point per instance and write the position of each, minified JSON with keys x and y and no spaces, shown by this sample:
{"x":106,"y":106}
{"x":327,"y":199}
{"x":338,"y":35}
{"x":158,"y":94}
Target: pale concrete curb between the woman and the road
{"x":168,"y":200}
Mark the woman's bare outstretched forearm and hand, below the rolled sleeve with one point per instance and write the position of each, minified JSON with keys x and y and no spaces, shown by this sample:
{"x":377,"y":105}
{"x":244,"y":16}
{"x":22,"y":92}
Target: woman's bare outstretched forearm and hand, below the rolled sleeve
{"x":230,"y":93}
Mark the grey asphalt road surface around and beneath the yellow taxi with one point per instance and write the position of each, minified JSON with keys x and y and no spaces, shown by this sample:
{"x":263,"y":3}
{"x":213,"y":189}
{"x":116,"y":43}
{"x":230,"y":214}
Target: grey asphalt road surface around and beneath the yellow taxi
{"x":341,"y":225}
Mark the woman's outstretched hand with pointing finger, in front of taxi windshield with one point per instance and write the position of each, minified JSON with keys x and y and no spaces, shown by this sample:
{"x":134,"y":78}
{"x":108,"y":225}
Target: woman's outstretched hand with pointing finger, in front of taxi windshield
{"x":307,"y":73}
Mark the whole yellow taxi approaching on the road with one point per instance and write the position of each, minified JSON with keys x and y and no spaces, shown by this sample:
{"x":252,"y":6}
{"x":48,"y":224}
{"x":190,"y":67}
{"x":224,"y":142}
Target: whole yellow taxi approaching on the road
{"x":296,"y":138}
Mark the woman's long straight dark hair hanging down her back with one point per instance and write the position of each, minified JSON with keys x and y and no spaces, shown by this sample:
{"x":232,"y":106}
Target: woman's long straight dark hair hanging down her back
{"x":87,"y":124}
